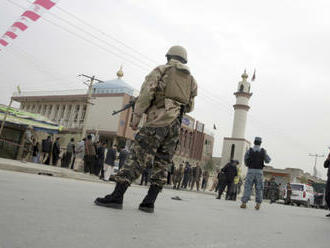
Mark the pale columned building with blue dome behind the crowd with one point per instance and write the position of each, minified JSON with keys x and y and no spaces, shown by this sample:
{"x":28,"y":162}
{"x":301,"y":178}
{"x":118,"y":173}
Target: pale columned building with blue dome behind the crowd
{"x":68,"y":108}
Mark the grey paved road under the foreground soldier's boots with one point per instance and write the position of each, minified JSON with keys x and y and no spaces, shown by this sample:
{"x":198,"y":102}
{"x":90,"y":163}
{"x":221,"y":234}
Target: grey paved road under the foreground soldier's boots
{"x":40,"y":211}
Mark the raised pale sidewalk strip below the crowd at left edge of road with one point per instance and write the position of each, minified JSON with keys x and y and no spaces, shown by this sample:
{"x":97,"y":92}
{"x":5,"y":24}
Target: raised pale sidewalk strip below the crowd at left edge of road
{"x":33,"y":168}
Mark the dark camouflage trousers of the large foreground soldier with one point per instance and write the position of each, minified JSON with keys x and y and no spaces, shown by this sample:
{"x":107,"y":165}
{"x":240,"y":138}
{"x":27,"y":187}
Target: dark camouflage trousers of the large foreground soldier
{"x":153,"y":147}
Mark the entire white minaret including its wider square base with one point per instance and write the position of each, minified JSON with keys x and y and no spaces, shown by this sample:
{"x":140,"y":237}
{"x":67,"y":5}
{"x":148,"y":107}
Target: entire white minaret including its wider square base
{"x":234,"y":147}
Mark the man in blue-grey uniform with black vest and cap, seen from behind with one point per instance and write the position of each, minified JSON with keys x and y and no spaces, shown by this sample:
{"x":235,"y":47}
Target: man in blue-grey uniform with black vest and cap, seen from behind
{"x":255,"y":159}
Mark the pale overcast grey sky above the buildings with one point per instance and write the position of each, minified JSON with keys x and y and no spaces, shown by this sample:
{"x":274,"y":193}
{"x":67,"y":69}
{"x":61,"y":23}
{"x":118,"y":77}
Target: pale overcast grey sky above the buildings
{"x":286,"y":41}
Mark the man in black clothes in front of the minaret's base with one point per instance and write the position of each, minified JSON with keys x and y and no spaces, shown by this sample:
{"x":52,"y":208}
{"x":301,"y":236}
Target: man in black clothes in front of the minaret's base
{"x":229,"y":172}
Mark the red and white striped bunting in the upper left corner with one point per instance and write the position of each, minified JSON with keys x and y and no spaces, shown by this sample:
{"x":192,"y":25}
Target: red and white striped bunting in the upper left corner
{"x":37,"y":8}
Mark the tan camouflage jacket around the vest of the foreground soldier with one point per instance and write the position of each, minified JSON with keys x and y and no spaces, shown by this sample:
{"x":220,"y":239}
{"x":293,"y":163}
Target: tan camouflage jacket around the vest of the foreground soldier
{"x":164,"y":116}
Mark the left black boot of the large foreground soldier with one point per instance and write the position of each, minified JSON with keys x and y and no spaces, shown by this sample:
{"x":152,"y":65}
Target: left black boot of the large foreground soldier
{"x":115,"y":200}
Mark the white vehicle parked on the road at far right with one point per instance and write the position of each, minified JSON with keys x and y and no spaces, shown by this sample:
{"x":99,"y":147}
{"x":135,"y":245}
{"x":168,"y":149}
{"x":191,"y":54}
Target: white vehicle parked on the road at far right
{"x":302,"y":194}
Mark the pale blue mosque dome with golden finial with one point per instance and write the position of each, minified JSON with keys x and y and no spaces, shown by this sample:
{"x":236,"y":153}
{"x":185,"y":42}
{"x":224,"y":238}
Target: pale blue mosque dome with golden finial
{"x":114,"y":86}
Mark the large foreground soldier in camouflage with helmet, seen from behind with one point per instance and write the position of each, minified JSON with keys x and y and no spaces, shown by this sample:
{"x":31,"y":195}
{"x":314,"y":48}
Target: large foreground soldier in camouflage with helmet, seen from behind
{"x":166,"y":94}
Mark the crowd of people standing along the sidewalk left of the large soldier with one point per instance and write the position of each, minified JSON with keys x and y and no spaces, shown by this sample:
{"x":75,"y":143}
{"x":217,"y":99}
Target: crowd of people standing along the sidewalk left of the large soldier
{"x":85,"y":156}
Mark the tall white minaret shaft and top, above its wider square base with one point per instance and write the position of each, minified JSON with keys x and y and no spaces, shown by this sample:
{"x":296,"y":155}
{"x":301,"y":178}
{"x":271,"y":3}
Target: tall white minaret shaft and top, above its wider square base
{"x":241,"y":107}
